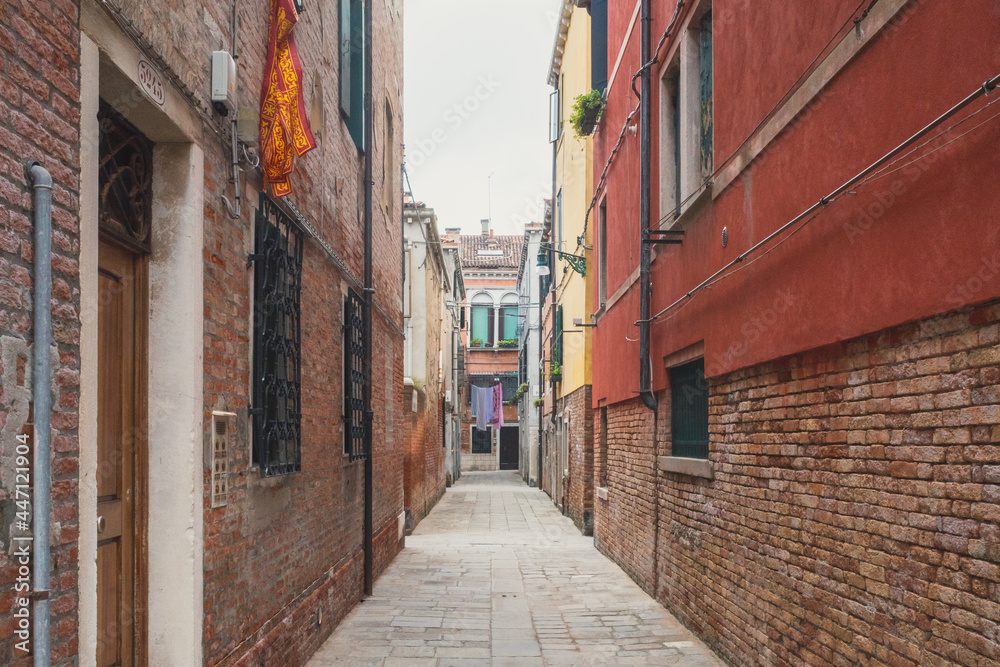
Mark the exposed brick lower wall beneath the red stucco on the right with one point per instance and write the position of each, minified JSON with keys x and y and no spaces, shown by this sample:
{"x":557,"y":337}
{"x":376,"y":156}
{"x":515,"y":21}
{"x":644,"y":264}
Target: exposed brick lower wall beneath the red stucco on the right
{"x":854,"y":517}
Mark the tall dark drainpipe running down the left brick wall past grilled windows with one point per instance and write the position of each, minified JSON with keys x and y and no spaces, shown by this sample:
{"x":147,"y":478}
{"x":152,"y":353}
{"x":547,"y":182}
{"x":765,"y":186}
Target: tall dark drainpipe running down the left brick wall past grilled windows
{"x":369,"y":291}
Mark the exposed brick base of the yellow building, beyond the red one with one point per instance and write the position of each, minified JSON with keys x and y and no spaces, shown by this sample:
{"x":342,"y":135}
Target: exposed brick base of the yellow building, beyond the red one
{"x":577,"y":407}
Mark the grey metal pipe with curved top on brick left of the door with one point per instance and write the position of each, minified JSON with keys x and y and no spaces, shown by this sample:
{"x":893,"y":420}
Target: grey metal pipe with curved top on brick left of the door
{"x":41,"y":183}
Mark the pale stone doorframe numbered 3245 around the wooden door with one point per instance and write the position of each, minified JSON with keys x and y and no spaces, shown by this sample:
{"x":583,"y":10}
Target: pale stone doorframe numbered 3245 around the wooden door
{"x":109,"y":69}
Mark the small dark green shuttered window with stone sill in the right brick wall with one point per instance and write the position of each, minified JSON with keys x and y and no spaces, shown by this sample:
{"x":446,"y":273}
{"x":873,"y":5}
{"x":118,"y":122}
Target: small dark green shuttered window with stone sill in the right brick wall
{"x":689,"y":410}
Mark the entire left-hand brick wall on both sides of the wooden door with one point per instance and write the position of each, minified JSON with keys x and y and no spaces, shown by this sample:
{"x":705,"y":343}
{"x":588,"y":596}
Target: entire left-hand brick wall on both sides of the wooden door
{"x":281,"y":547}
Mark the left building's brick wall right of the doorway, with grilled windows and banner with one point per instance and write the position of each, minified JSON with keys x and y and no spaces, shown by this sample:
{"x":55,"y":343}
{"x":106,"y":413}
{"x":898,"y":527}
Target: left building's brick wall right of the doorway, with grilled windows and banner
{"x":284,"y":545}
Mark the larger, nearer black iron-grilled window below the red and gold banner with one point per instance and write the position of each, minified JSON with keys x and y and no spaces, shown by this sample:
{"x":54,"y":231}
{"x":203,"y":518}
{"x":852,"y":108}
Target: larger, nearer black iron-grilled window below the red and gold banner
{"x":277,"y":398}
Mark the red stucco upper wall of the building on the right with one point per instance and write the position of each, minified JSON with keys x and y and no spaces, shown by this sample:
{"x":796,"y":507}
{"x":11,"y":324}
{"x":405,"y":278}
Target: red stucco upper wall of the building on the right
{"x":918,"y":242}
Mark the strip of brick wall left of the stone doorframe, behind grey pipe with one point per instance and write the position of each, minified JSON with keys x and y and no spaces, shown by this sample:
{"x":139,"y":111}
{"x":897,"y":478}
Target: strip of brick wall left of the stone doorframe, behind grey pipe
{"x":39,"y":119}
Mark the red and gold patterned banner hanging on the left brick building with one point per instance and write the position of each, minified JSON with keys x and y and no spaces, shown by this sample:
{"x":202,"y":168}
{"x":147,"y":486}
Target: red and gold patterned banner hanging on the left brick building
{"x":284,"y":127}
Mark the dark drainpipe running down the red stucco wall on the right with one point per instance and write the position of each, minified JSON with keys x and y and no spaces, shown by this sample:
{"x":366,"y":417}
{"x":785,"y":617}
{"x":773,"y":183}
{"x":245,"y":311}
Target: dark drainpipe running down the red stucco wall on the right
{"x":645,"y":106}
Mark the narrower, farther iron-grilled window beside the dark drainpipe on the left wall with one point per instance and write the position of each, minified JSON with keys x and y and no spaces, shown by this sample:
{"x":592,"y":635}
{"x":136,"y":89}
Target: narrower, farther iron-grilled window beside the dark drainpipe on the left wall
{"x":355,"y":425}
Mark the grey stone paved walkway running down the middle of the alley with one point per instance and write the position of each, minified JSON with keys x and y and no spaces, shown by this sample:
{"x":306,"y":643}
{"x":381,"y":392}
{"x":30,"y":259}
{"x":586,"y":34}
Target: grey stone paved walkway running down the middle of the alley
{"x":495,"y":575}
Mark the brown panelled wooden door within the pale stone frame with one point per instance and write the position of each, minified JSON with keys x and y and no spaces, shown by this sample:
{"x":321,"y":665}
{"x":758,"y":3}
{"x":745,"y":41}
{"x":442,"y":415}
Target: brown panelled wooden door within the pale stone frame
{"x":120,"y":445}
